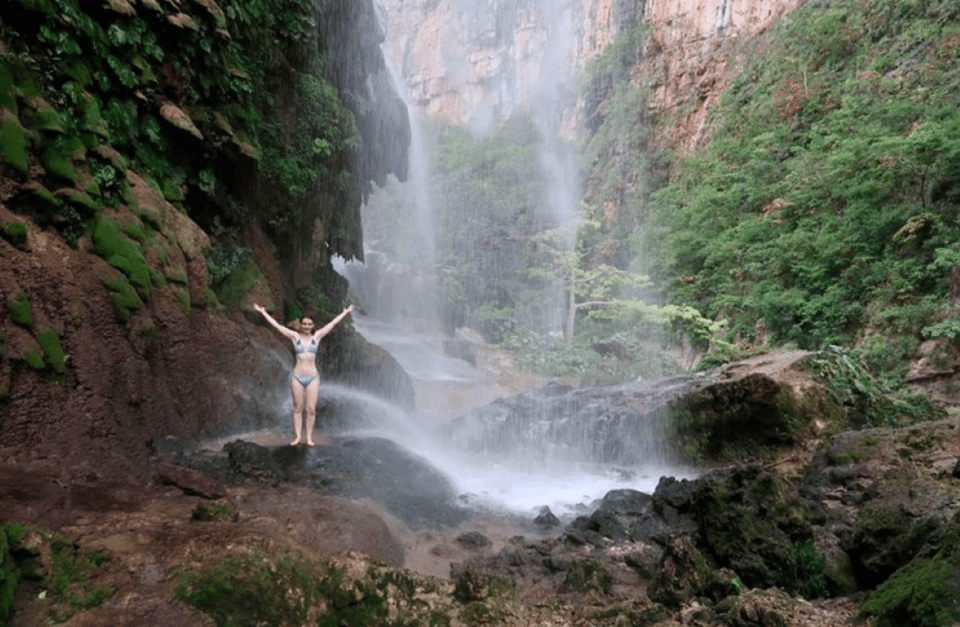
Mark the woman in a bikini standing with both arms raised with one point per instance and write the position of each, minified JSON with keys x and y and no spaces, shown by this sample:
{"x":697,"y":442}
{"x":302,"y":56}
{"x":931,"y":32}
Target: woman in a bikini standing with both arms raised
{"x":305,"y":381}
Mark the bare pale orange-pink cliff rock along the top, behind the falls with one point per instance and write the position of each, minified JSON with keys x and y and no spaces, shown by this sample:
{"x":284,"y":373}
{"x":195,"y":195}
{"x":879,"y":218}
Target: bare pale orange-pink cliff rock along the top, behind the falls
{"x":472,"y":62}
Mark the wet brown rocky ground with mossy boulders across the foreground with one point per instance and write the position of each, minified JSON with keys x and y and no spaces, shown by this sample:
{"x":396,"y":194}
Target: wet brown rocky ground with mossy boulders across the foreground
{"x":804,"y":537}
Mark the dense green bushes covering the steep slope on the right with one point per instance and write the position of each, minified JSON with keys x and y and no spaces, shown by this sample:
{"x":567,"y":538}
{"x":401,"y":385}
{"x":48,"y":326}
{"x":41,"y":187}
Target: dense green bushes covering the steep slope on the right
{"x":826,"y":207}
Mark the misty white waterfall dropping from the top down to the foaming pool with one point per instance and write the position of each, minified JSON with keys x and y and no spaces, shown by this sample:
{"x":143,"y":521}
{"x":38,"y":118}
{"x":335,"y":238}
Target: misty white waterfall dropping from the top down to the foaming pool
{"x":551,"y":473}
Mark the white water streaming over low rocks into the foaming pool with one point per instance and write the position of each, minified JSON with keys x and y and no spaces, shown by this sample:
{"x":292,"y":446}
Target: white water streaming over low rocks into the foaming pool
{"x":448,"y":388}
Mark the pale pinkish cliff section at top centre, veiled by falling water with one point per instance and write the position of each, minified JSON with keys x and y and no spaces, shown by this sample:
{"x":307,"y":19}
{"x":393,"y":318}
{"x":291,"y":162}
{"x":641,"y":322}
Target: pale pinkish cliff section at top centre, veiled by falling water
{"x":475,"y":62}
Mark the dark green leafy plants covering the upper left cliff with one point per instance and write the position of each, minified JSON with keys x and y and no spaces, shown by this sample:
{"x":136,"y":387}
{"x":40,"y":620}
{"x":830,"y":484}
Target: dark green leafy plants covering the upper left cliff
{"x":228,"y":111}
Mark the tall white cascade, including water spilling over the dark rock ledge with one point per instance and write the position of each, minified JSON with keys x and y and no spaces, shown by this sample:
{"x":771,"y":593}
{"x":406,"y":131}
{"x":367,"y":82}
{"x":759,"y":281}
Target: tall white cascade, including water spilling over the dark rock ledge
{"x":549,"y":458}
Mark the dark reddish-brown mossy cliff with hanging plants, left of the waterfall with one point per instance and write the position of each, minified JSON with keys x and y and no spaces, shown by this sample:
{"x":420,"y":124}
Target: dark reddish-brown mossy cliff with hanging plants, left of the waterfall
{"x":145,"y":203}
